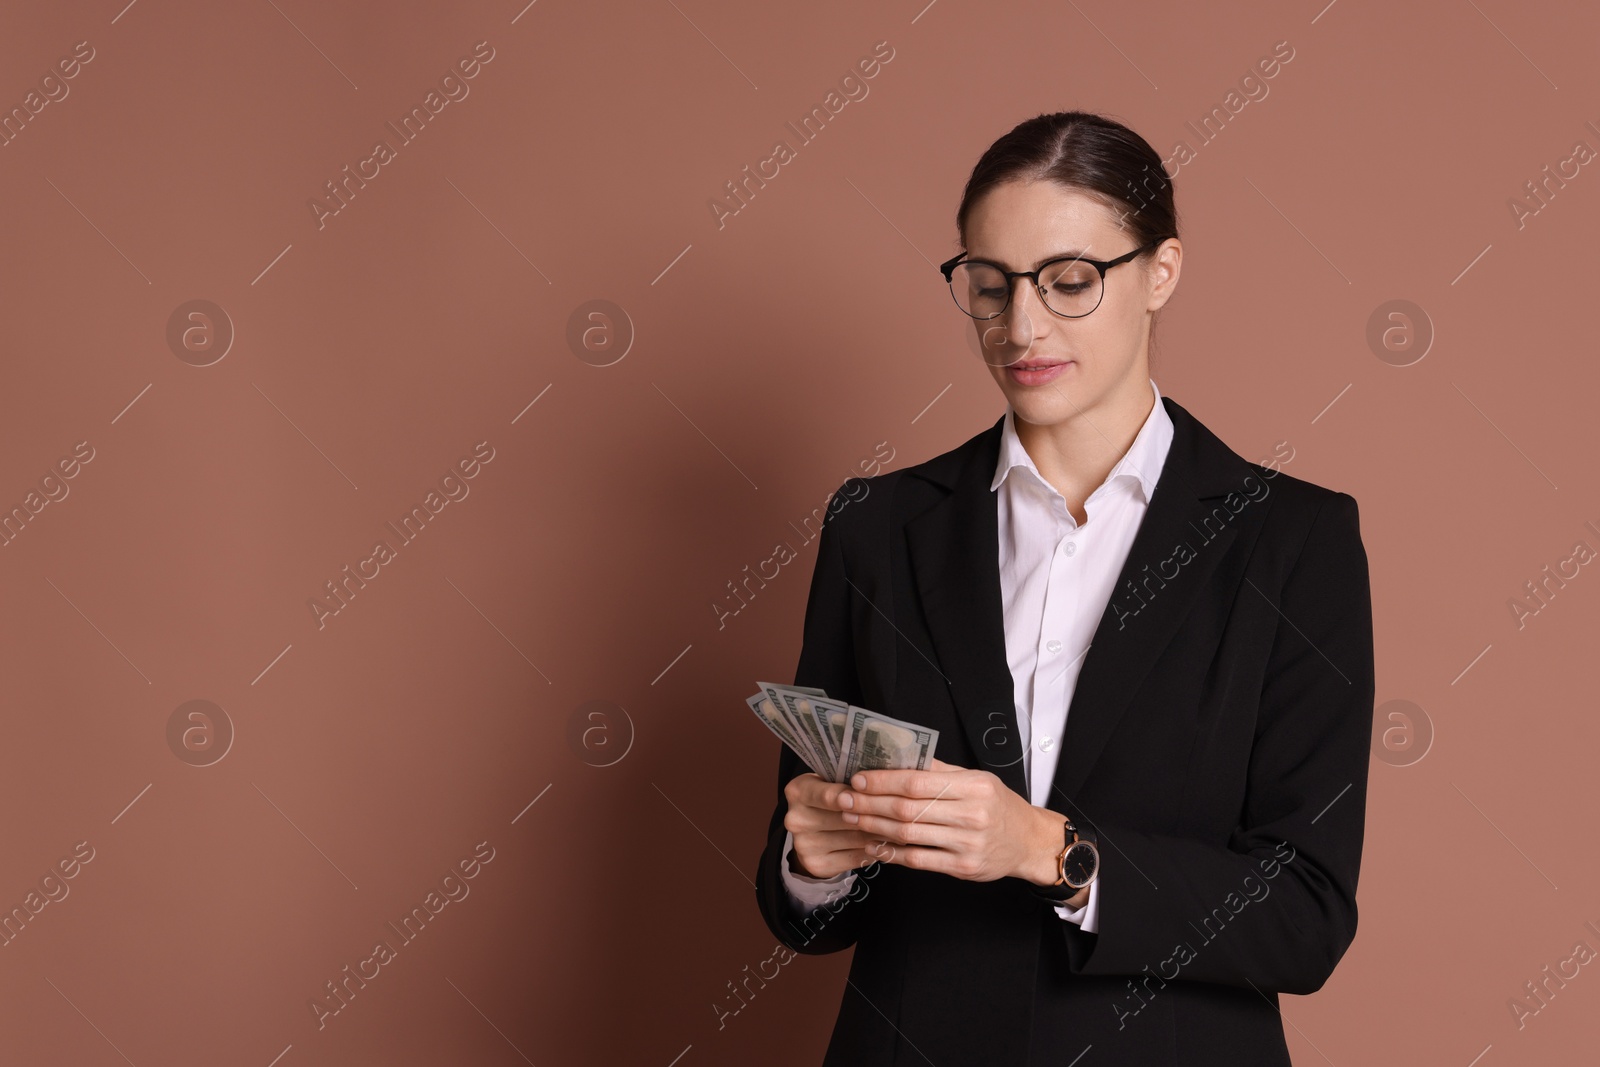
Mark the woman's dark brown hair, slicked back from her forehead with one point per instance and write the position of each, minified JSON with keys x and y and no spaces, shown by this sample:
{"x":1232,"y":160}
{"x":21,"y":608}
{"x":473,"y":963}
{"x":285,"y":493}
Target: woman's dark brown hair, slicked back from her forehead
{"x":1097,"y":156}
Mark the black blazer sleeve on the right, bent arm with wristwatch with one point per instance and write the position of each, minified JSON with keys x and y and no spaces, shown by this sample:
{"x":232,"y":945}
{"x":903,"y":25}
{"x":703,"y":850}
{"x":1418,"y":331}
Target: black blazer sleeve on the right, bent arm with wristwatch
{"x":1276,"y":906}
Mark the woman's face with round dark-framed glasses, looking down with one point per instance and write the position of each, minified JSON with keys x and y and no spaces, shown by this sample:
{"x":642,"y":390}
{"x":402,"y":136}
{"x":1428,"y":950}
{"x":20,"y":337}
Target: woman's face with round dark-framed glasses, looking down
{"x":1050,"y":369}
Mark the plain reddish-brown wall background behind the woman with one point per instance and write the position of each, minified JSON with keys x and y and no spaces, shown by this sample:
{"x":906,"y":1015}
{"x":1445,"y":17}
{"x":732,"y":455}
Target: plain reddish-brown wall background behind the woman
{"x":769,"y":359}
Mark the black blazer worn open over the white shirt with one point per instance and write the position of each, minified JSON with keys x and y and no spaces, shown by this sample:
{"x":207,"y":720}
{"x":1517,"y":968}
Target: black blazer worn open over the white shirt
{"x":1217,"y":741}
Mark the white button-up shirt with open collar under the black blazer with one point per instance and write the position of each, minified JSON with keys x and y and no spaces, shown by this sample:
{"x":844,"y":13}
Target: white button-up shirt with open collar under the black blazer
{"x":1057,"y":578}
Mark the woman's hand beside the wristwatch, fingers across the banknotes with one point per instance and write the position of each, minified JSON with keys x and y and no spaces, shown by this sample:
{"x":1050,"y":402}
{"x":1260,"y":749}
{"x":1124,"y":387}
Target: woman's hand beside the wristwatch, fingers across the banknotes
{"x":962,"y":823}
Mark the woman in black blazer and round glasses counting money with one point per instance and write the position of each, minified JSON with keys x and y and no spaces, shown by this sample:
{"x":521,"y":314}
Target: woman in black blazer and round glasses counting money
{"x":1150,"y":663}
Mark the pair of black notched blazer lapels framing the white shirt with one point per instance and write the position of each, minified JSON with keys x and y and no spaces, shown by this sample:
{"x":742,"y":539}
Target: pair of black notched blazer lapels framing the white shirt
{"x":954,"y":551}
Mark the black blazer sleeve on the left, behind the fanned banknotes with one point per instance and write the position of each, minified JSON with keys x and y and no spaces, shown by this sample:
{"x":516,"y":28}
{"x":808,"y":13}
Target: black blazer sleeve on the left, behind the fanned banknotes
{"x":826,"y":661}
